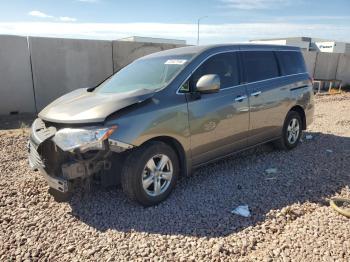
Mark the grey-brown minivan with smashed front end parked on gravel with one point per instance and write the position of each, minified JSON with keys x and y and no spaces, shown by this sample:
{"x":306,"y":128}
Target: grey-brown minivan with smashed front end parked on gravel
{"x":170,"y":112}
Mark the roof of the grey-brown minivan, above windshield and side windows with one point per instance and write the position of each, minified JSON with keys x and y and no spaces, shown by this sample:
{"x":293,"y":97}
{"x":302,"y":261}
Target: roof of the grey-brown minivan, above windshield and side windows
{"x":196,"y":50}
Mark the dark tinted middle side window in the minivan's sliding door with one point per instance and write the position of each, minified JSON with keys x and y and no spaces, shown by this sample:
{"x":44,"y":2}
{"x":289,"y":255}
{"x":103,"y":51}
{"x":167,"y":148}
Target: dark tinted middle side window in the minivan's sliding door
{"x":260,"y":65}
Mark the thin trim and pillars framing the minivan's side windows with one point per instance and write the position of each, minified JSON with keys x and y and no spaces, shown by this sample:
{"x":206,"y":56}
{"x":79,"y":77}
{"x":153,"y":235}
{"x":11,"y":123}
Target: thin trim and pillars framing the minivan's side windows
{"x":240,"y":64}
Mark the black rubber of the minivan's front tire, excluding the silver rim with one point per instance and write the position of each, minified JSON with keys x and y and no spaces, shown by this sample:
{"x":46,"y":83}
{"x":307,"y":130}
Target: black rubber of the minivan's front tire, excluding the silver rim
{"x":145,"y":154}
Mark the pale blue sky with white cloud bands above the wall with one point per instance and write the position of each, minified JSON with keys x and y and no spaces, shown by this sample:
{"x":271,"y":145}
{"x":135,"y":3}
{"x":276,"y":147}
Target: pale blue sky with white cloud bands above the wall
{"x":227,"y":21}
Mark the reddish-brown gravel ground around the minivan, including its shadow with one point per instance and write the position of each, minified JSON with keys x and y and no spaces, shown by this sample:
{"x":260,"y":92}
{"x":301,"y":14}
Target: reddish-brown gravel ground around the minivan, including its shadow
{"x":291,"y":219}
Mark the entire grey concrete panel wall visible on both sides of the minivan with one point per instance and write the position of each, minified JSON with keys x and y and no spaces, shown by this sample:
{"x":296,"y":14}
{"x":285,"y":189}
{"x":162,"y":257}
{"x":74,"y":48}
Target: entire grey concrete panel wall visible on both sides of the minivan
{"x":59,"y":66}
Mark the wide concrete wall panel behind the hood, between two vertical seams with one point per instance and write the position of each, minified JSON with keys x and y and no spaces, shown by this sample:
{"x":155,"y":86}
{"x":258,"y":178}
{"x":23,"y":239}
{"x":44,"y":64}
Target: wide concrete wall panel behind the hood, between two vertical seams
{"x":62,"y":65}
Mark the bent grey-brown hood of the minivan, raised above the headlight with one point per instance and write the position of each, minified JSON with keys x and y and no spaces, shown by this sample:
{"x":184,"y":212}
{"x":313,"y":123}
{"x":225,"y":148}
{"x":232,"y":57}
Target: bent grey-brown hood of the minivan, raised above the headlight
{"x":81,"y":106}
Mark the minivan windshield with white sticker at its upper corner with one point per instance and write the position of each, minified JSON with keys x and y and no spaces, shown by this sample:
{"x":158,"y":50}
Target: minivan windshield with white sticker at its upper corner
{"x":150,"y":73}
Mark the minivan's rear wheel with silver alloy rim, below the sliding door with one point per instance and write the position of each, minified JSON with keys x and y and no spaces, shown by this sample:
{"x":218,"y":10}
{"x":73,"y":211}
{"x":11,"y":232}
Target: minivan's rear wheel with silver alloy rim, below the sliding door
{"x":291,"y":132}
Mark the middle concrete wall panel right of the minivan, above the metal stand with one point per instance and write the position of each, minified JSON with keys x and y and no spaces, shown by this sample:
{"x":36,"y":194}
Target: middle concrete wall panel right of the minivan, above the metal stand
{"x":326,"y":65}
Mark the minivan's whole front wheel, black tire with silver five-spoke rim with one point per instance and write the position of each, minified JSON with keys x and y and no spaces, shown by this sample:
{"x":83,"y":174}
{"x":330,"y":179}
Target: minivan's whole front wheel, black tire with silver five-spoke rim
{"x":150,"y":173}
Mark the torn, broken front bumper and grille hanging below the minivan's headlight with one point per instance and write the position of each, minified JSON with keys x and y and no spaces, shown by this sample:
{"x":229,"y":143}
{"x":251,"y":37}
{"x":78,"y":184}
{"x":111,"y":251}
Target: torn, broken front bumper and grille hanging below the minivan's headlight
{"x":60,"y":167}
